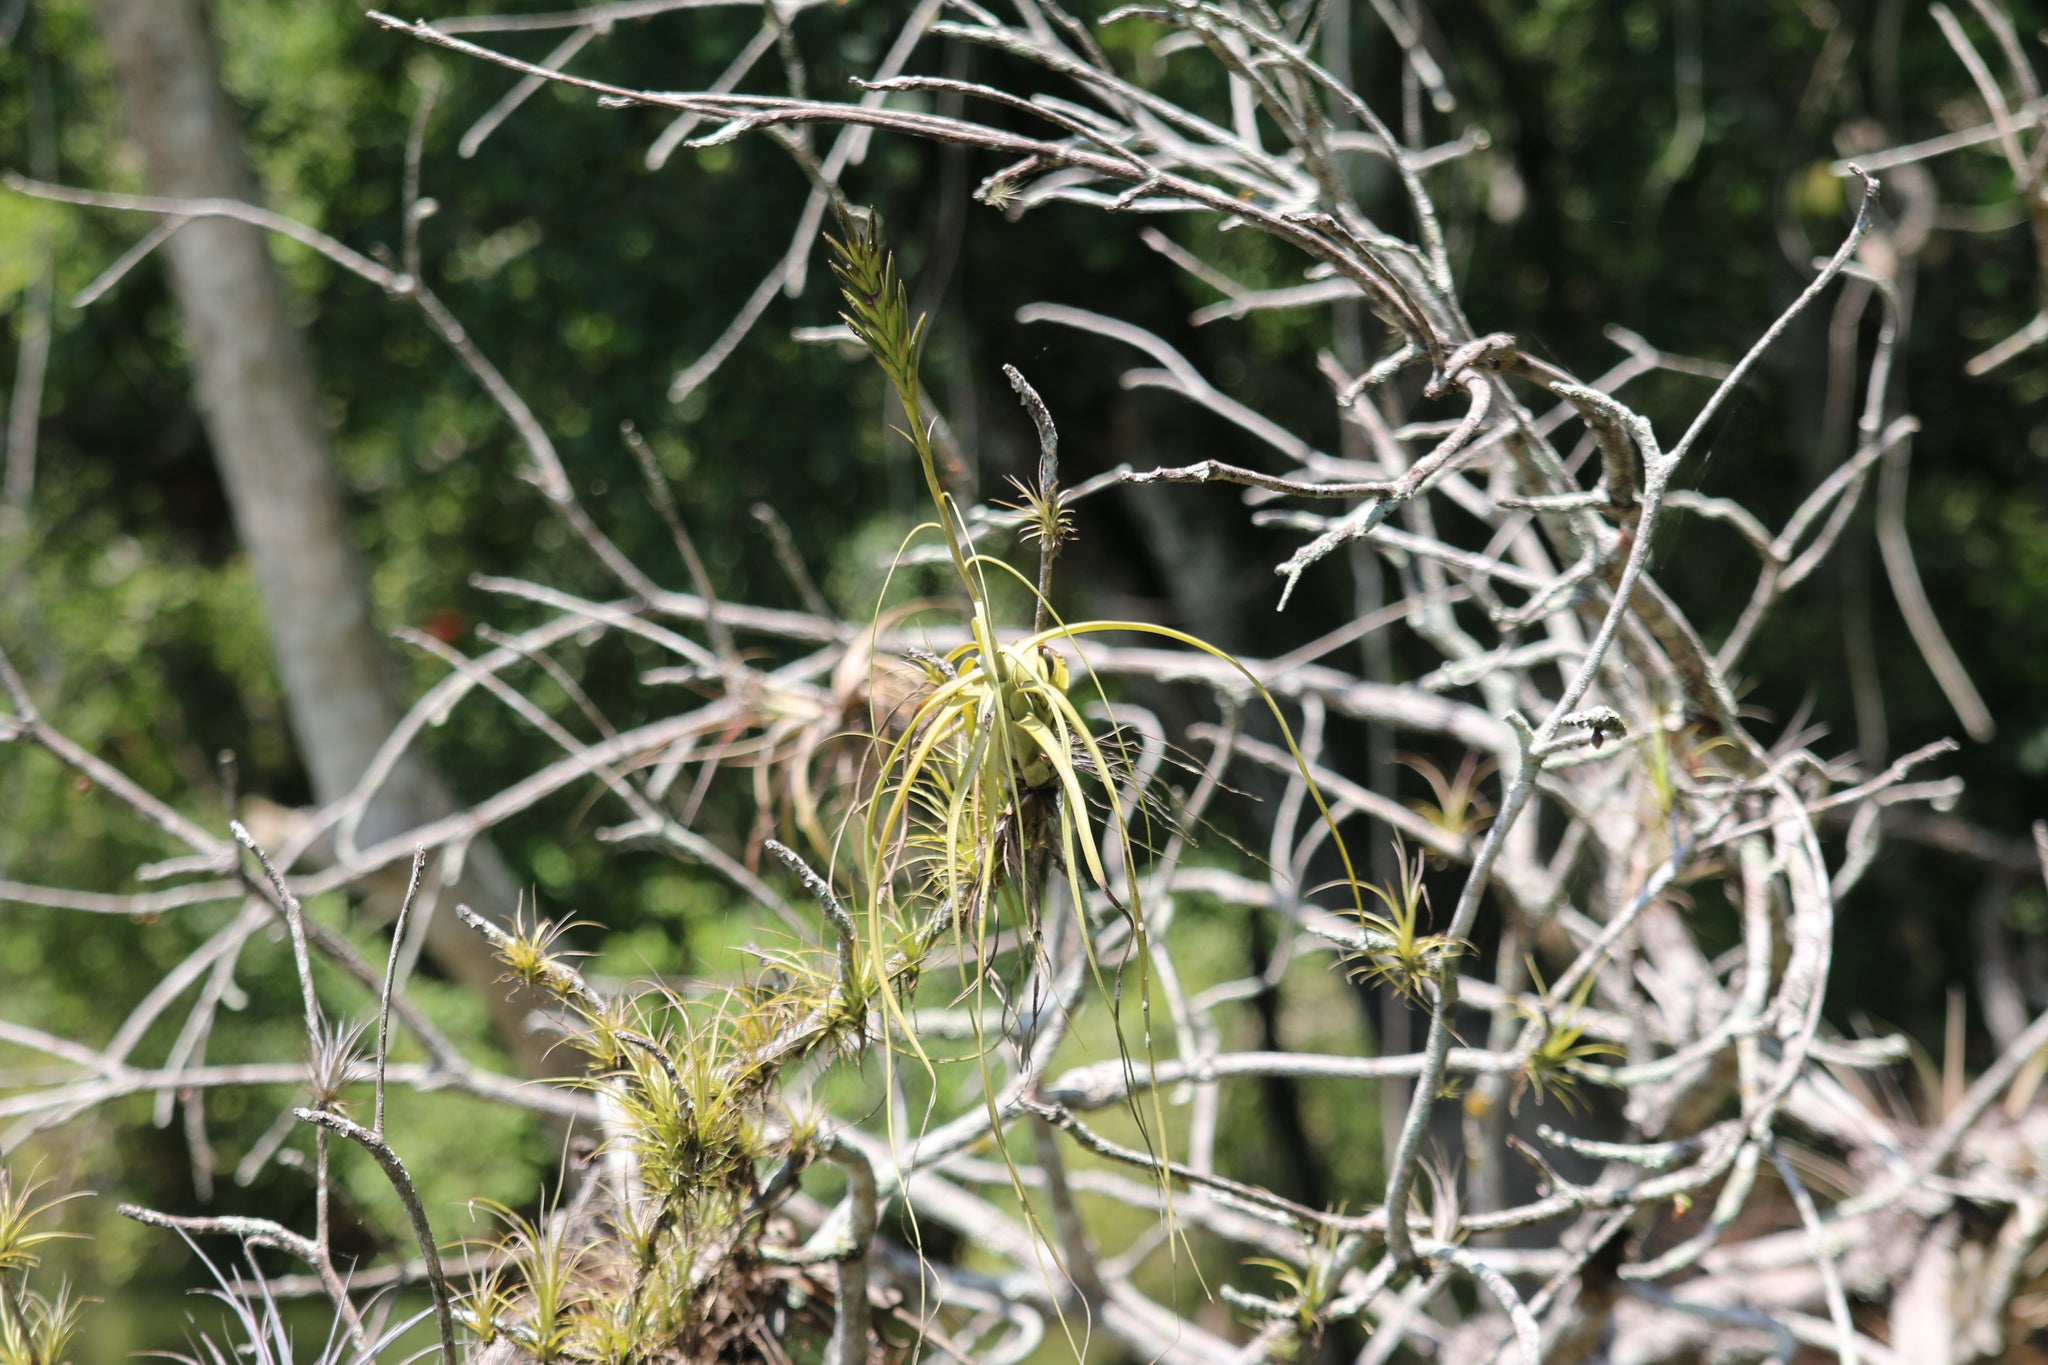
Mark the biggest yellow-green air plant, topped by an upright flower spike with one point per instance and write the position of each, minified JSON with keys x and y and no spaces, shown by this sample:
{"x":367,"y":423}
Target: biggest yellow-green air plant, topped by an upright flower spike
{"x":996,"y":773}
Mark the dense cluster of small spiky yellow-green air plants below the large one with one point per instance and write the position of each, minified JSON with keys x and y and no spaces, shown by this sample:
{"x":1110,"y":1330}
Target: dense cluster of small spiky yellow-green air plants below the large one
{"x":675,"y":1253}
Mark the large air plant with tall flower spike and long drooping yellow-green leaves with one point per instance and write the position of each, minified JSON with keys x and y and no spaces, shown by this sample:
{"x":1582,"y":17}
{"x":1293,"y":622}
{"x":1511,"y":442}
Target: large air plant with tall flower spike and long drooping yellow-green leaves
{"x":996,"y":785}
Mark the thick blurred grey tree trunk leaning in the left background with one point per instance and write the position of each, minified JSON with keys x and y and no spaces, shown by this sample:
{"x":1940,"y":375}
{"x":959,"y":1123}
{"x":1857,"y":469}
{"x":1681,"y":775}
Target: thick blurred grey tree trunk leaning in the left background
{"x":259,"y":402}
